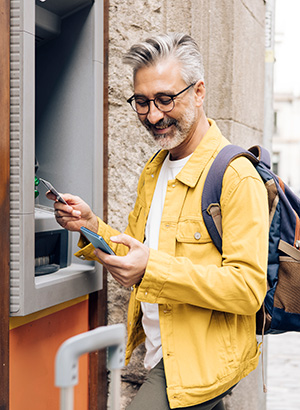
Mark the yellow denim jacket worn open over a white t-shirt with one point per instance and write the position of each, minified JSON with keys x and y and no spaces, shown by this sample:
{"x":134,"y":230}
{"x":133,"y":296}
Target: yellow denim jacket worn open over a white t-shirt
{"x":207,"y":301}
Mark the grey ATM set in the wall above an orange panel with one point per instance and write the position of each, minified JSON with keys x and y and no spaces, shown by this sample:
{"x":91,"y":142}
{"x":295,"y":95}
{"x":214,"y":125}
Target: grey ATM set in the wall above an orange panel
{"x":56,"y":134}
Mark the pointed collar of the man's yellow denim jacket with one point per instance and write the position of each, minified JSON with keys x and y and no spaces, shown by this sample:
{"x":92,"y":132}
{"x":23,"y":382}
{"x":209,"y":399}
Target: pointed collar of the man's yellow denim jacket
{"x":191,"y":172}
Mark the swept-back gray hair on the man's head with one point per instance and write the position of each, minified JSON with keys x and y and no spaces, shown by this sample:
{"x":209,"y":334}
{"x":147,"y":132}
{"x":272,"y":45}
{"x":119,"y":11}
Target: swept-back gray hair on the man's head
{"x":180,"y":46}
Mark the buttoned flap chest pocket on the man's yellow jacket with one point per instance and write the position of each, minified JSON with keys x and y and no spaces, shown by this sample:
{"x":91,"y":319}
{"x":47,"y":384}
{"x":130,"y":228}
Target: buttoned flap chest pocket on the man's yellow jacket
{"x":190,"y":235}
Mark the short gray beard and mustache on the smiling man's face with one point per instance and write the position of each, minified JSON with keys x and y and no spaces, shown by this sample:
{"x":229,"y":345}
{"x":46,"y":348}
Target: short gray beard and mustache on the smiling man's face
{"x":179,"y":132}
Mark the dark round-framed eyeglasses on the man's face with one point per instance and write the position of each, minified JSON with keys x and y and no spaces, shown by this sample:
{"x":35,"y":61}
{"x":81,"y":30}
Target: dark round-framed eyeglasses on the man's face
{"x":163,"y":102}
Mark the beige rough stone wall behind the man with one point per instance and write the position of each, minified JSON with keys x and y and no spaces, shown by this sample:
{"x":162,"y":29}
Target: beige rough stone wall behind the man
{"x":231,"y":36}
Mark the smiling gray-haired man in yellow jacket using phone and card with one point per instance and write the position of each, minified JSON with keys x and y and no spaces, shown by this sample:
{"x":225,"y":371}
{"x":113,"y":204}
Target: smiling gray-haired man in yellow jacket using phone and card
{"x":194,"y":308}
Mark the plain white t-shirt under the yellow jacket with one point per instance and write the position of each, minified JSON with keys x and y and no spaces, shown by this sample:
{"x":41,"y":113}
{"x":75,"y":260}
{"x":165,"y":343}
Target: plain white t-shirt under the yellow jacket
{"x":150,"y":319}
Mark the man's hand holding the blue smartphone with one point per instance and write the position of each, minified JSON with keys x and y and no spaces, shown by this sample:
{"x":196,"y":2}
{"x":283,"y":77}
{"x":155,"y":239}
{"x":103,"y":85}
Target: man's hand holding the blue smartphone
{"x":127,"y":270}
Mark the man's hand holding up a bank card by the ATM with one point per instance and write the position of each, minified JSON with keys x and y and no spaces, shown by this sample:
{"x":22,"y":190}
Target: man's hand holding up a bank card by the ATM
{"x":74,"y":215}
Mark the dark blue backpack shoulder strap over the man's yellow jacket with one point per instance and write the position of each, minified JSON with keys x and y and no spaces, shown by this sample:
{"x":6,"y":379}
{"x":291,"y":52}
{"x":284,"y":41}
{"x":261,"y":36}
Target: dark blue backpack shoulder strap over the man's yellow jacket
{"x":211,"y":194}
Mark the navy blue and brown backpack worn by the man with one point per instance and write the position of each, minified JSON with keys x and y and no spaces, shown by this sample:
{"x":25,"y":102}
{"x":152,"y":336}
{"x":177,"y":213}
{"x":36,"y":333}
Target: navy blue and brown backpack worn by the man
{"x":280,"y":311}
